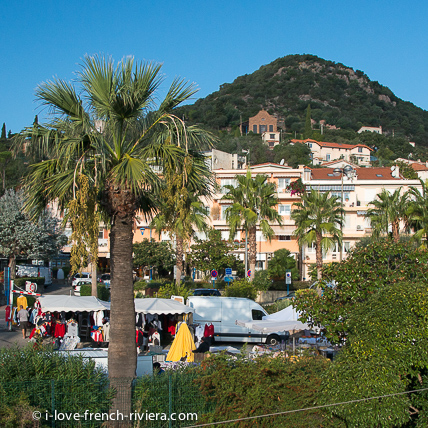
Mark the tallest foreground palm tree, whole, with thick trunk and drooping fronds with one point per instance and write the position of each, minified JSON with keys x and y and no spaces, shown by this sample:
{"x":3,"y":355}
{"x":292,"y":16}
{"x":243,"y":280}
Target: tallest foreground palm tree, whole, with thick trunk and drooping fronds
{"x":108,"y":129}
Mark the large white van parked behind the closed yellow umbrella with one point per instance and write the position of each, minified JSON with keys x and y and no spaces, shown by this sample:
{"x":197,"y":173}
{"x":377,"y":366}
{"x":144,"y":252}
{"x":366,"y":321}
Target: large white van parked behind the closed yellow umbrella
{"x":223,"y":312}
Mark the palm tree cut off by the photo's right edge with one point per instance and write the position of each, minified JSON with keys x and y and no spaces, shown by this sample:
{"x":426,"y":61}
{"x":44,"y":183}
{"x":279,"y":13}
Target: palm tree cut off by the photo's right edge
{"x":417,"y":212}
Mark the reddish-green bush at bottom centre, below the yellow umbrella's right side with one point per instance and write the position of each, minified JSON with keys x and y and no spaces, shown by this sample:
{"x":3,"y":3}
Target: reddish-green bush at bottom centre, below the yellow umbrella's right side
{"x":242,"y":388}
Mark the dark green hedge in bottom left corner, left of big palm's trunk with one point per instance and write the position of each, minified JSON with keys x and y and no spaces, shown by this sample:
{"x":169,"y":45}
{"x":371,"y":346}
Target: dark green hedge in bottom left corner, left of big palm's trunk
{"x":33,"y":378}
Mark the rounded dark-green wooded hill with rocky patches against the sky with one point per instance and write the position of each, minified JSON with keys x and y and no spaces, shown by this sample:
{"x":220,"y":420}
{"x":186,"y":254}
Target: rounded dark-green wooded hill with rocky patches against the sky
{"x":341,"y":96}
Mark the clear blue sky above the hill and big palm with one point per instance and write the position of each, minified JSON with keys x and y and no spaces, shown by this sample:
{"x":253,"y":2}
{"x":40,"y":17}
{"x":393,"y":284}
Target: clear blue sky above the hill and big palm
{"x":209,"y":43}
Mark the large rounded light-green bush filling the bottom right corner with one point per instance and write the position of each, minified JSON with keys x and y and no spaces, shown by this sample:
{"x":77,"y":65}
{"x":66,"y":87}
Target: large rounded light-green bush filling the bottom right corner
{"x":386,"y":353}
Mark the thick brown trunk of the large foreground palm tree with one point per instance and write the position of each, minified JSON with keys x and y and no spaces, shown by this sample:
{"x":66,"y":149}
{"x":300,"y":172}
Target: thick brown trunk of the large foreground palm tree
{"x":122,"y":355}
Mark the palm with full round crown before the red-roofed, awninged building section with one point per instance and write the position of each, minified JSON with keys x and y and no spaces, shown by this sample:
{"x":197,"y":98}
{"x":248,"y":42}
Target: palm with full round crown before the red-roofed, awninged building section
{"x":318,"y":220}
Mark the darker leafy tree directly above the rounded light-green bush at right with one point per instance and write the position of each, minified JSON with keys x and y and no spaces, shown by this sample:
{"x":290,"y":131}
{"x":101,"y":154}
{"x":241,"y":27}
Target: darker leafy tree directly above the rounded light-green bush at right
{"x":366,"y":270}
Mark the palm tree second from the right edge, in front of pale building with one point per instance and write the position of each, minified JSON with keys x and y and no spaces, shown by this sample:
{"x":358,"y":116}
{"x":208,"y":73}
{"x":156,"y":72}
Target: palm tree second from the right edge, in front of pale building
{"x":389,"y":209}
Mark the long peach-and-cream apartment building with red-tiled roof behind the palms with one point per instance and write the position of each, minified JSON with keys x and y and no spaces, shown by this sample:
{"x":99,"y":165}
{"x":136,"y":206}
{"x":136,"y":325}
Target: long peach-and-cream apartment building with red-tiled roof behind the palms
{"x":357,"y":191}
